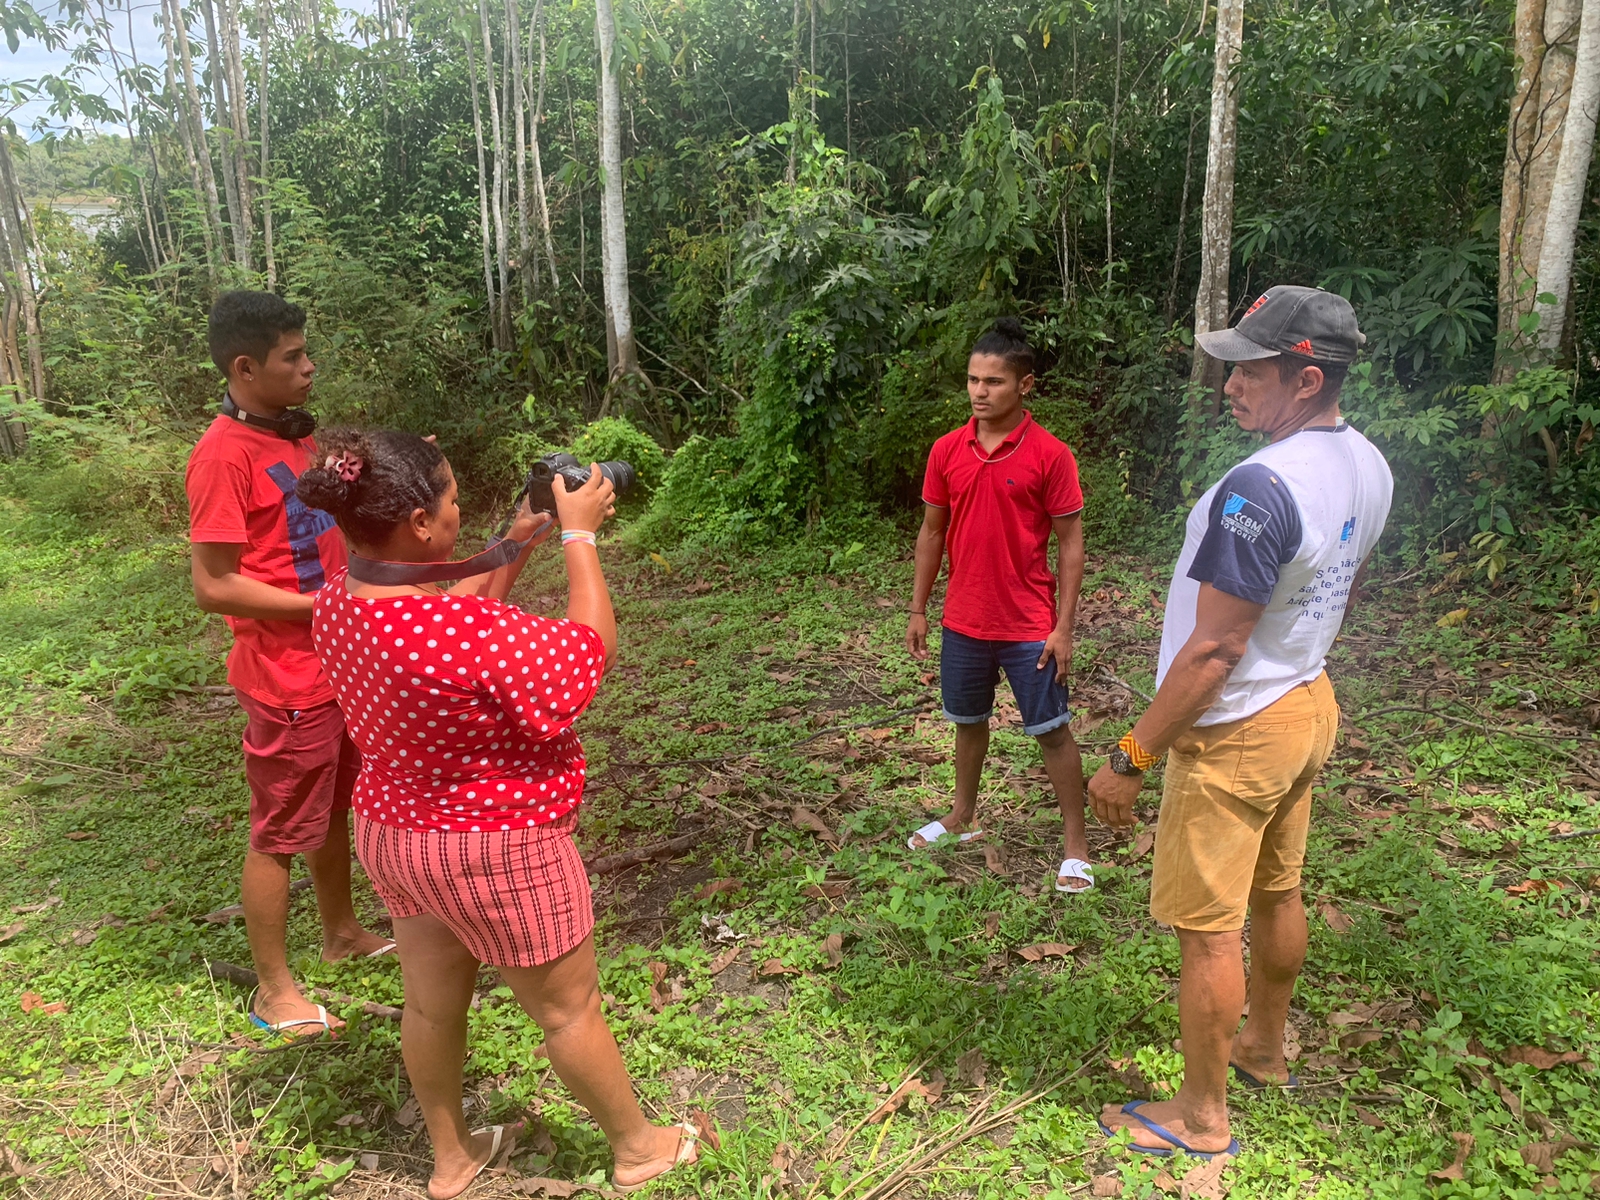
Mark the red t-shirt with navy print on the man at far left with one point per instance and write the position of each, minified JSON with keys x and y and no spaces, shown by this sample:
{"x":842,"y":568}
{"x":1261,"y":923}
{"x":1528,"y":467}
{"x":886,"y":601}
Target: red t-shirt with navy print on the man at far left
{"x":241,"y":487}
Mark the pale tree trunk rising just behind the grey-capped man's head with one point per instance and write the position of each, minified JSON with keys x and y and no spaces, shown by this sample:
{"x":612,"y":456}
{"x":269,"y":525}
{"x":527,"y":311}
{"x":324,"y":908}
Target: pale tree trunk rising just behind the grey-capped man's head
{"x":1217,"y":209}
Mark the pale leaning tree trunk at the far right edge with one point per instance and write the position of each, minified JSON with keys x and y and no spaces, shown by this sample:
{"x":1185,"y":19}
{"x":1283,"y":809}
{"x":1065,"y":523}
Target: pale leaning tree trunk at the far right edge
{"x":1567,"y":188}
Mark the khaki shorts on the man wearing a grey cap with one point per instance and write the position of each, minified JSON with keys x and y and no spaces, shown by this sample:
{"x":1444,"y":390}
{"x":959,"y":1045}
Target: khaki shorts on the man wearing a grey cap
{"x":1236,"y":810}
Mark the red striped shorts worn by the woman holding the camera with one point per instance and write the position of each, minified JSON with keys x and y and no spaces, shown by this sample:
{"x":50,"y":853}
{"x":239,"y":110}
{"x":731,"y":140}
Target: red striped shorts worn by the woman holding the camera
{"x":514,"y":898}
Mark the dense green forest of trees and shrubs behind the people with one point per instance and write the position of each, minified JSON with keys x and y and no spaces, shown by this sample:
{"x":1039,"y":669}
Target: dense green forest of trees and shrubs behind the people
{"x":825,"y":202}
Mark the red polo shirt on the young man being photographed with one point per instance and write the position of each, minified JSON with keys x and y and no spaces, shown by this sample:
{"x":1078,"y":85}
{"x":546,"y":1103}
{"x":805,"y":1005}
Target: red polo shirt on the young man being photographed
{"x":1002,"y":506}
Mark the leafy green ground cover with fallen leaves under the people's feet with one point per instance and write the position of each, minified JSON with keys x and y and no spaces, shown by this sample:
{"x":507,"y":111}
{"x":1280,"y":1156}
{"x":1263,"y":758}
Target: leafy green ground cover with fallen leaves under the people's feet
{"x":1450,"y":994}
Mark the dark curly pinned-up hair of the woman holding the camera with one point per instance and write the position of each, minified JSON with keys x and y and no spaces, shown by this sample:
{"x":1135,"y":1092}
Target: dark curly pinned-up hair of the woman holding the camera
{"x":378,"y":479}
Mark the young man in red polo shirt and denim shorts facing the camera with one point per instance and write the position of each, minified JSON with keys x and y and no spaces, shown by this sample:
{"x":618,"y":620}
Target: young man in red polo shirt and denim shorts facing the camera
{"x":994,"y":494}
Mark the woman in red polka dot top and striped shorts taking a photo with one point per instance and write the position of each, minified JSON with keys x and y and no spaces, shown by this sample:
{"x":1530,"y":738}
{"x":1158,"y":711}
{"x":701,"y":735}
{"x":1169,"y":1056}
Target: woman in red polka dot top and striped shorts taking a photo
{"x":463,"y":708}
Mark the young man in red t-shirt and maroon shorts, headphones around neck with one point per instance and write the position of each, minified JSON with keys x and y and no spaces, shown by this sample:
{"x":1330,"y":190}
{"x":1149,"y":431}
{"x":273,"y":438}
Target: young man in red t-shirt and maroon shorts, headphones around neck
{"x":258,"y":558}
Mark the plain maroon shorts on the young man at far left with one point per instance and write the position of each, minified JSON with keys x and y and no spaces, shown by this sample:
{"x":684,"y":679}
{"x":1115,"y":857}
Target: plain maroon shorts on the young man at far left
{"x":302,"y":769}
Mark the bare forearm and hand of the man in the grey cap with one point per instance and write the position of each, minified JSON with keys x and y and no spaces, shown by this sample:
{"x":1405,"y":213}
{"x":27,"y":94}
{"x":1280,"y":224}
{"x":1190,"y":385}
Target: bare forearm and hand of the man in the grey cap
{"x":1223,"y":628}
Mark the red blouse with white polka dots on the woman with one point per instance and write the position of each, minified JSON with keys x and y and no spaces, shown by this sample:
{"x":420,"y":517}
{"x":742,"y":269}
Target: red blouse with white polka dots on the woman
{"x":462,"y":706}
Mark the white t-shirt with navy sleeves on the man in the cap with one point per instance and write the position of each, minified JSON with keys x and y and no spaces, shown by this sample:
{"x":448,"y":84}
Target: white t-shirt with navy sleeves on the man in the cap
{"x":1287,"y":529}
